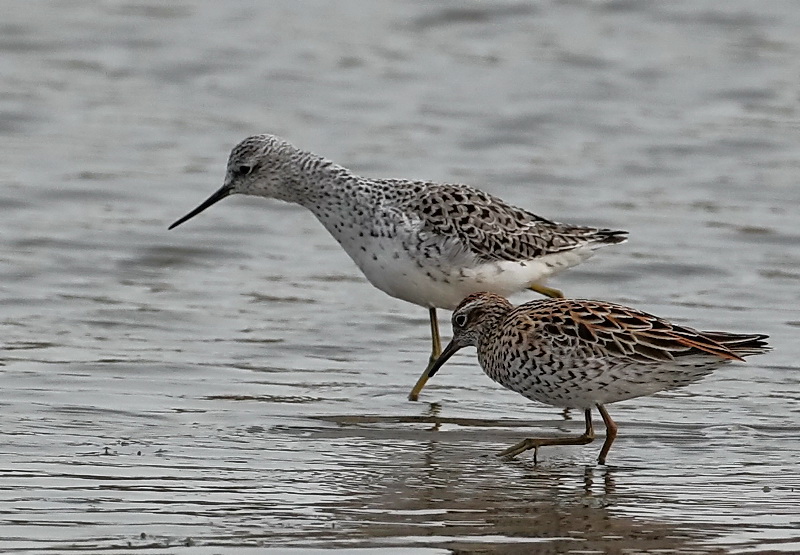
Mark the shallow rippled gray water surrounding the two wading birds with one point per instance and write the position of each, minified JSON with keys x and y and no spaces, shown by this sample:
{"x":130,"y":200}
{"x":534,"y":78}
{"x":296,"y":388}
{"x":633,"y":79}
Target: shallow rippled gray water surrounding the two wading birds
{"x":235,"y":383}
